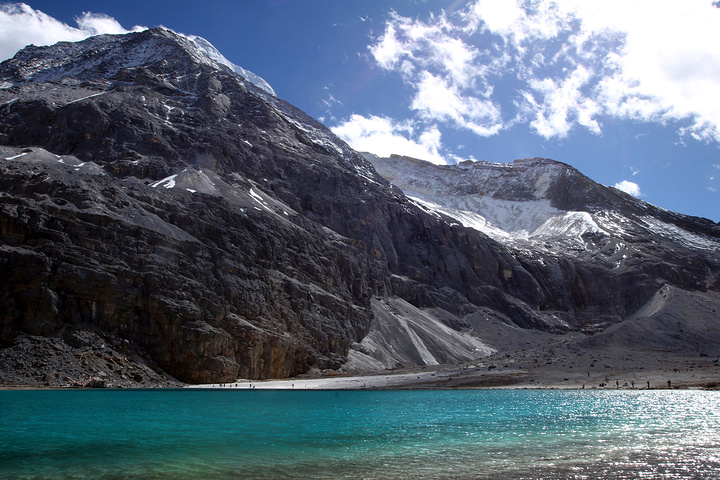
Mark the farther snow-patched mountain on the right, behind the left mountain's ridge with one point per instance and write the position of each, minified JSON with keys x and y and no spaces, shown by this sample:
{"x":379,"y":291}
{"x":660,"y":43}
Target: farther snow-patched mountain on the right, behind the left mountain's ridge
{"x":596,"y":249}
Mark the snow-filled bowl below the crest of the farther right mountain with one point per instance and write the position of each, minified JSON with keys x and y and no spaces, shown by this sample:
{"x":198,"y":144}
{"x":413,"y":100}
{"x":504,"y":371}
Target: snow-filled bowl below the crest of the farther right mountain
{"x":505,"y":201}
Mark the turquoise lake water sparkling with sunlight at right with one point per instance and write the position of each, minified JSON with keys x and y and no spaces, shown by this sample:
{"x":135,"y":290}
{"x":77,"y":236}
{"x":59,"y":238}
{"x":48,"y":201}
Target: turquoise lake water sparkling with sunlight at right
{"x":255,"y":434}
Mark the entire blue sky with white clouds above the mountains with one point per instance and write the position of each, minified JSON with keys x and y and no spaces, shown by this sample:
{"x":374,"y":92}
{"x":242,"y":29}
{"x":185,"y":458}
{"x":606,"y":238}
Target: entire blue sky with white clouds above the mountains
{"x":626,"y":91}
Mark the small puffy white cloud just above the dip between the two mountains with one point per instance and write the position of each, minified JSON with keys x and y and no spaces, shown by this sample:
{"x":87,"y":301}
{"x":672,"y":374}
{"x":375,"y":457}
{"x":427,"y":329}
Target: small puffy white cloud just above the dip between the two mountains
{"x":383,"y":137}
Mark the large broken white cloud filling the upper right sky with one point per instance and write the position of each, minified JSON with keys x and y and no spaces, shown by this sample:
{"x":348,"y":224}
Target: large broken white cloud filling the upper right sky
{"x":562,"y":64}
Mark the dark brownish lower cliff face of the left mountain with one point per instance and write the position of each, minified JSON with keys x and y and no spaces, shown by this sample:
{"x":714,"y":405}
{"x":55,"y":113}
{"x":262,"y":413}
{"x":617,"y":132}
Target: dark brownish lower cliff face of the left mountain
{"x":127,"y":260}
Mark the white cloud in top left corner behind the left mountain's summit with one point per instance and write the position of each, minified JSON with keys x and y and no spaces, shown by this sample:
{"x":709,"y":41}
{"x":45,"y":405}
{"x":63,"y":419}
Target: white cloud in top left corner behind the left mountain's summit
{"x":21,"y":25}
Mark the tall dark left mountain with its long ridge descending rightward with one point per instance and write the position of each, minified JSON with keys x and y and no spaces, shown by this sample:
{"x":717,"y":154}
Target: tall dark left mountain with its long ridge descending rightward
{"x":159,"y":201}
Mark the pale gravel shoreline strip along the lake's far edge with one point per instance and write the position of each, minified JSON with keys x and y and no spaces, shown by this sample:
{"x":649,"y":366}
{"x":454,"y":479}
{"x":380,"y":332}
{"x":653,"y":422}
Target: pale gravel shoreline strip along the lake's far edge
{"x":520,"y":369}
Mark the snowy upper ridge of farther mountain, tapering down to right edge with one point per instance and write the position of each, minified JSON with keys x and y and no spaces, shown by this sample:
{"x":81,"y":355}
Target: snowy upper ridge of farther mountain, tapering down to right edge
{"x":521,"y":198}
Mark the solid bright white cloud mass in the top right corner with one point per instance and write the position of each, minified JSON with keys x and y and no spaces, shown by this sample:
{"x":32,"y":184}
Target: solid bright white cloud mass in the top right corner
{"x":670,"y":62}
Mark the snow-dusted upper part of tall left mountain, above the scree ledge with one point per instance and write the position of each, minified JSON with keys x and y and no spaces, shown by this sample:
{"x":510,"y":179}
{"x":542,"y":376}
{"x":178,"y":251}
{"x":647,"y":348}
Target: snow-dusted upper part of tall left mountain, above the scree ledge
{"x":86,"y":93}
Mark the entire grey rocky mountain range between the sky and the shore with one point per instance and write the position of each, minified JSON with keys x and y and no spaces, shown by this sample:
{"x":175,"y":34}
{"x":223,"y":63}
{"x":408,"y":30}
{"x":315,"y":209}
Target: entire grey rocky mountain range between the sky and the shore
{"x":163,"y":215}
